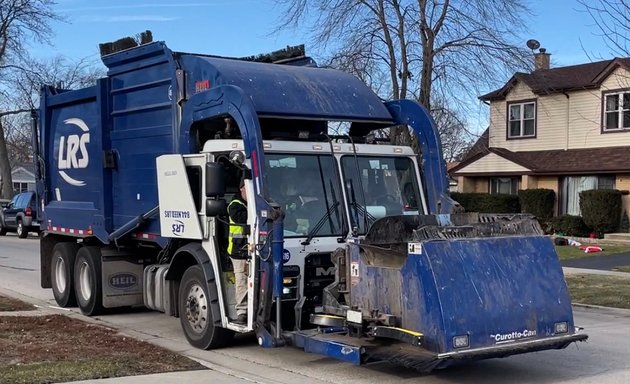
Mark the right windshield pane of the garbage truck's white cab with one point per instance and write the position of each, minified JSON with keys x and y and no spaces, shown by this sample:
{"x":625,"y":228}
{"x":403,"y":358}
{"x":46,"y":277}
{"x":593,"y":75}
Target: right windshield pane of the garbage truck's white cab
{"x":379,"y":186}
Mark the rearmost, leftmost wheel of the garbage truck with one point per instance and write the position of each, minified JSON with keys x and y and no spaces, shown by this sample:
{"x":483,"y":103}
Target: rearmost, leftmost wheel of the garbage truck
{"x":62,"y":273}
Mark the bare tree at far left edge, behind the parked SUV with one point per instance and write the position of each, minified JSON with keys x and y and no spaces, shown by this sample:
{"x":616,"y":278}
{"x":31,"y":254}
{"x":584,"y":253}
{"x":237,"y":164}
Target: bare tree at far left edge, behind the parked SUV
{"x":21,"y":22}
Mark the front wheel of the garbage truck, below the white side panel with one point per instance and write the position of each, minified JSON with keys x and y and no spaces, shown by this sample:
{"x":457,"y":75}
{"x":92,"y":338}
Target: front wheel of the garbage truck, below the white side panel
{"x":195,"y":314}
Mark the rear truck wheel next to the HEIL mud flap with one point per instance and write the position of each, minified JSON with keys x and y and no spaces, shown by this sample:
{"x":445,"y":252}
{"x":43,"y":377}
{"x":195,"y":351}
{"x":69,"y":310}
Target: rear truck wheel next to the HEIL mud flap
{"x":87,"y":281}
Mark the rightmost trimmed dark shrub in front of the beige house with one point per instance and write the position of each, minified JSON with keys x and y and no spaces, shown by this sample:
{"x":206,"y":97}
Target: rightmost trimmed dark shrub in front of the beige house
{"x":601,"y":209}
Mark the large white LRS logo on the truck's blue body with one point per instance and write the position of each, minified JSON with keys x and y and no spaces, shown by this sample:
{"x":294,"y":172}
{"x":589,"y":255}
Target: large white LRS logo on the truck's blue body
{"x":73,"y":152}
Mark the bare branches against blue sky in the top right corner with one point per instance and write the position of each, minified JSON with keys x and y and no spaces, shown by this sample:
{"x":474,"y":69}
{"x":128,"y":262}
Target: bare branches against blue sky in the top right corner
{"x":612,"y":18}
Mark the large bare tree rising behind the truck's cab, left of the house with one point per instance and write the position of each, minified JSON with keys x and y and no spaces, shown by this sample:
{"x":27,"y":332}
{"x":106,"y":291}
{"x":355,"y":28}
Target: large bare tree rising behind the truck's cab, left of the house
{"x":453,"y":50}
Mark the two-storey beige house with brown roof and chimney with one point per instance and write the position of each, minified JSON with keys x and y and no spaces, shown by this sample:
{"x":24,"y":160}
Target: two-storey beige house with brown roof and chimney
{"x":565,"y":128}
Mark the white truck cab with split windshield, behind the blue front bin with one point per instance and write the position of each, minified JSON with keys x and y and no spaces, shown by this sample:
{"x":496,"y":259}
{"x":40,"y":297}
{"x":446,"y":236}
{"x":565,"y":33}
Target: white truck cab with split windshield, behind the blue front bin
{"x":328,"y":190}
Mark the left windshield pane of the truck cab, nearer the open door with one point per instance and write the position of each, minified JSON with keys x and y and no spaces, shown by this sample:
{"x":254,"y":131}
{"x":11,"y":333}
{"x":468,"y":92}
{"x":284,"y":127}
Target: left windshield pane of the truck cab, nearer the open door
{"x":308,"y":192}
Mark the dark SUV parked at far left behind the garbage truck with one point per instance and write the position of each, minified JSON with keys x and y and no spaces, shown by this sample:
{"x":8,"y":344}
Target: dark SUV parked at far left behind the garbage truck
{"x":20,"y":215}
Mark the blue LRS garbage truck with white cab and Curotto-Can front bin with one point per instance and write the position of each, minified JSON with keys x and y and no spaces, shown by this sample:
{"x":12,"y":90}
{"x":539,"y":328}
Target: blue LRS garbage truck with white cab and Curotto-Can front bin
{"x":355,"y":250}
